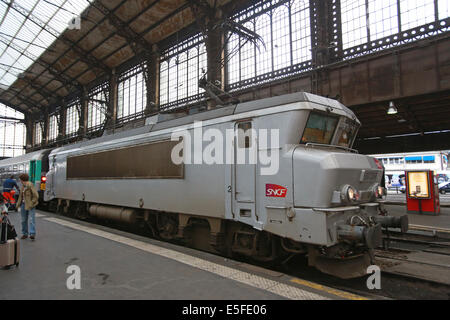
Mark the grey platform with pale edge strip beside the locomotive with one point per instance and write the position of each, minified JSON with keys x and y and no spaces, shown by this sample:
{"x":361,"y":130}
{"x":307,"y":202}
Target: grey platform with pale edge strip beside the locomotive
{"x":120,"y":265}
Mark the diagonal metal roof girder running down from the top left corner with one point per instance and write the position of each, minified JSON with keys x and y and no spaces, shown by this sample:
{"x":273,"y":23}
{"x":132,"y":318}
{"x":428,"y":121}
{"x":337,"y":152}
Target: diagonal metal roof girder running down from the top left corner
{"x":84,"y":56}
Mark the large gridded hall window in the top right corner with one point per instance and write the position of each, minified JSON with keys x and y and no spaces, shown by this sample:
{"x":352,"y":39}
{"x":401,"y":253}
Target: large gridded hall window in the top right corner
{"x":369,"y":25}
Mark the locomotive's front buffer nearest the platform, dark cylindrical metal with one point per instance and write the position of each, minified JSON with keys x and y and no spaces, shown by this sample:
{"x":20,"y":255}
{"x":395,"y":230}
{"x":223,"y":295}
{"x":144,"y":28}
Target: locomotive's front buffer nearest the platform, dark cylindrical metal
{"x":371,"y":236}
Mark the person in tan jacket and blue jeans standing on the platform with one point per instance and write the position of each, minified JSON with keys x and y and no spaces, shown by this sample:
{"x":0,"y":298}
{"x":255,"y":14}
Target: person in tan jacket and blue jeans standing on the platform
{"x":27,"y":202}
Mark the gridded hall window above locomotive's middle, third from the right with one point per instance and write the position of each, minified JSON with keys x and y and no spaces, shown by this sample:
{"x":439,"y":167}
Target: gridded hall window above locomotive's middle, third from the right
{"x":181,"y":68}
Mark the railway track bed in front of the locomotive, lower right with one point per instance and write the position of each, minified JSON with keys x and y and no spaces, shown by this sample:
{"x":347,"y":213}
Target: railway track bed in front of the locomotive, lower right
{"x":403,"y":276}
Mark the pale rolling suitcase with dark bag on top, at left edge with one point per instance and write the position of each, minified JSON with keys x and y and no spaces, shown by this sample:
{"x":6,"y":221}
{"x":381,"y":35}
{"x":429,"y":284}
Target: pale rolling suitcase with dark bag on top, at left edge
{"x":9,"y":245}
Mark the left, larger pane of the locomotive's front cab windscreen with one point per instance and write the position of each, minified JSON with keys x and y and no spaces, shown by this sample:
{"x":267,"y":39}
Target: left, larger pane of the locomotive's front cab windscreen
{"x":319,"y":128}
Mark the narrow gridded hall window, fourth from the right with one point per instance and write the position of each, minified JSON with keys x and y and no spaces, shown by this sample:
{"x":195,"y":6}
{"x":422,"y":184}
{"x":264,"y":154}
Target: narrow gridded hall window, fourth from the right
{"x":132,"y":93}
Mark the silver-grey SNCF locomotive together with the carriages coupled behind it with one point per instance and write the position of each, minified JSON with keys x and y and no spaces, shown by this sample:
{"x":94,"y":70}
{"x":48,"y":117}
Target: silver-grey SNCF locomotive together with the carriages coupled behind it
{"x":324,"y":201}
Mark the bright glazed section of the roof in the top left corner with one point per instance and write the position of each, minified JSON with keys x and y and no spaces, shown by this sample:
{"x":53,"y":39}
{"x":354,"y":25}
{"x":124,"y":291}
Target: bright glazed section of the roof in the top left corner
{"x":28,"y":28}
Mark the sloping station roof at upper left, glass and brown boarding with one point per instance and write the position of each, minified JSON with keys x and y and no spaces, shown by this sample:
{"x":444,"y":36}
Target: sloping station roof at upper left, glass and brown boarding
{"x":77,"y":56}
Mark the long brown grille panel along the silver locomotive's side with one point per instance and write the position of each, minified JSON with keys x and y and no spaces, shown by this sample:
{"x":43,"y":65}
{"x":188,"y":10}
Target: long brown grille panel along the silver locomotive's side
{"x":149,"y":161}
